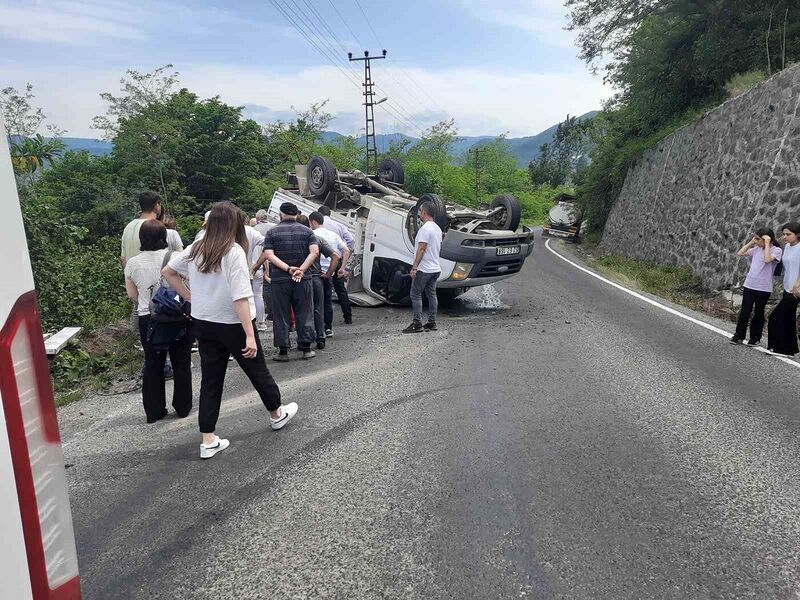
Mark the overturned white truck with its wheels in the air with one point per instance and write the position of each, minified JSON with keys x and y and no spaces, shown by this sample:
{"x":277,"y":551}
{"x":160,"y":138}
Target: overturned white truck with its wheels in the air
{"x":479,"y":246}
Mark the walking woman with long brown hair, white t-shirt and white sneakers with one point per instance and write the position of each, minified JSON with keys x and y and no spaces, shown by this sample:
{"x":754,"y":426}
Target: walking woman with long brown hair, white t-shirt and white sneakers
{"x":223,"y":312}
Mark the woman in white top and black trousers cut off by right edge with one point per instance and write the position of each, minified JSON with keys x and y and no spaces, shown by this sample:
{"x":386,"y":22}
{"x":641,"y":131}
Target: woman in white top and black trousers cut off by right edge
{"x":782,"y":327}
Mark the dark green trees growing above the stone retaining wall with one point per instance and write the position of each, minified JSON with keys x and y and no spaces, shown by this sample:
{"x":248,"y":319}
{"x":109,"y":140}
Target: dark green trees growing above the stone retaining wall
{"x":671,"y":60}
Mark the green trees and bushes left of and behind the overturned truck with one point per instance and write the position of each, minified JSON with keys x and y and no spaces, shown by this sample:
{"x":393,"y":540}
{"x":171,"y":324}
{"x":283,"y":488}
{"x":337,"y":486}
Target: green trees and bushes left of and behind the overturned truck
{"x":195,"y":152}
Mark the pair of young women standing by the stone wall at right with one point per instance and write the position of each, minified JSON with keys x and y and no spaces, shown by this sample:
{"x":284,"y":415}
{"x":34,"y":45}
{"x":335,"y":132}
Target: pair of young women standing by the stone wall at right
{"x":768,"y":261}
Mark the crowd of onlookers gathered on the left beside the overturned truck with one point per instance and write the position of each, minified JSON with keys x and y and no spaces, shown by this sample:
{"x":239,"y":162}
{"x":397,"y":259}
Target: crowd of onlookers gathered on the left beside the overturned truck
{"x":222,"y":289}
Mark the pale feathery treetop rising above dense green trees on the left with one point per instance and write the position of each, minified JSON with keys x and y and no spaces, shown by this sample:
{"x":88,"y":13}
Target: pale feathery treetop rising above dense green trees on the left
{"x":139,"y":90}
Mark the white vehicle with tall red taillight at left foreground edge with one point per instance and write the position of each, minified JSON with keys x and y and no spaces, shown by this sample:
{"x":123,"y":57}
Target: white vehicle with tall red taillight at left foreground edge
{"x":38,"y":560}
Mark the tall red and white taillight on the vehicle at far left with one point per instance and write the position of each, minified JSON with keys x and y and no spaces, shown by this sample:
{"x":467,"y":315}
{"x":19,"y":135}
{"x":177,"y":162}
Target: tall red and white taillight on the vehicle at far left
{"x":37,"y":456}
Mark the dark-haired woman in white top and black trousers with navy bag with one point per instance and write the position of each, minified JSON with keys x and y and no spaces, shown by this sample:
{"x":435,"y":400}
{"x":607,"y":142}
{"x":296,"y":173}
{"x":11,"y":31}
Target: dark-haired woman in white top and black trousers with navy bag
{"x":142,"y":275}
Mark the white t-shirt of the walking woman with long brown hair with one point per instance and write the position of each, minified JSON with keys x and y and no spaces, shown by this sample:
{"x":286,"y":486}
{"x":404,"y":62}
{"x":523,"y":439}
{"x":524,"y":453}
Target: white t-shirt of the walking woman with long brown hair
{"x":213,"y":294}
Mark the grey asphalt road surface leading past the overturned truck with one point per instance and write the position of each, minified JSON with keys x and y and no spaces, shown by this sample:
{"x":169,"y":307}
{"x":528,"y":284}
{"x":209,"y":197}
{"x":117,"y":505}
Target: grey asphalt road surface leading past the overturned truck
{"x":573,"y":443}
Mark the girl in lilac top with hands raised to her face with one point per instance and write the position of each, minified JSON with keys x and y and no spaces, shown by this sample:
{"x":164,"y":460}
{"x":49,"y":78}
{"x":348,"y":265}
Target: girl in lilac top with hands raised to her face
{"x":764,"y":257}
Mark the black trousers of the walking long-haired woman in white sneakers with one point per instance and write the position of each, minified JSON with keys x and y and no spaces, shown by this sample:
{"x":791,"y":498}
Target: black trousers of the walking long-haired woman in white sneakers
{"x":216,"y":342}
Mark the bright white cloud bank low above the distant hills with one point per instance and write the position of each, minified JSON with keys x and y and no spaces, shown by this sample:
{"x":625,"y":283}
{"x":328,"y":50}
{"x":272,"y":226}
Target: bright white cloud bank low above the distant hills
{"x":482,"y":101}
